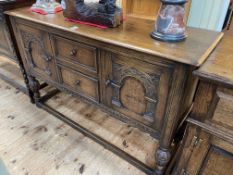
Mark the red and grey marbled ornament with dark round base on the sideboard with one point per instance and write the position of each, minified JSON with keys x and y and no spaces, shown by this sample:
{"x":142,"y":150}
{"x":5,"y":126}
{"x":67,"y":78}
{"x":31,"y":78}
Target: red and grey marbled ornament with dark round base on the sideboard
{"x":171,"y":23}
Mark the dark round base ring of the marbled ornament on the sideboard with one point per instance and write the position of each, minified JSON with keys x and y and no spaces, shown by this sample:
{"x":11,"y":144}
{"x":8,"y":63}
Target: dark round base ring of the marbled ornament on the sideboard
{"x":171,"y":38}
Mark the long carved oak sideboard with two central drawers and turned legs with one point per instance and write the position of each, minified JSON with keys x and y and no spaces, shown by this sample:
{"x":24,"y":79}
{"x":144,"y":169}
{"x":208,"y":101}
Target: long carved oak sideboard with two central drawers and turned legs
{"x":145,"y":83}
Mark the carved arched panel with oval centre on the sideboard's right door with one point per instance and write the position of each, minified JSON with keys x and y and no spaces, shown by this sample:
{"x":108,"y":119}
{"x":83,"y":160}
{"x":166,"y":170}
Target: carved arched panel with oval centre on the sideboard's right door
{"x":134,"y":90}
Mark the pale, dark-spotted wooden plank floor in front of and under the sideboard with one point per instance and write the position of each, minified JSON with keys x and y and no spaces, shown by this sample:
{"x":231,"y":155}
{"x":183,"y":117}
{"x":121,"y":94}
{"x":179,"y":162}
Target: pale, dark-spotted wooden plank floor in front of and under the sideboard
{"x":32,"y":142}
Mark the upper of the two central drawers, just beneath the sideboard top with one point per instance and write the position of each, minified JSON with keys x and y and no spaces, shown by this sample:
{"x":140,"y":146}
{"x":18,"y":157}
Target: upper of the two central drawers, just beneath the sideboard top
{"x":74,"y":52}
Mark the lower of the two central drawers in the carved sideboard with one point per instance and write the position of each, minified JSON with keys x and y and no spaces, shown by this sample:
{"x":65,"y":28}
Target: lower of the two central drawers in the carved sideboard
{"x":79,"y":83}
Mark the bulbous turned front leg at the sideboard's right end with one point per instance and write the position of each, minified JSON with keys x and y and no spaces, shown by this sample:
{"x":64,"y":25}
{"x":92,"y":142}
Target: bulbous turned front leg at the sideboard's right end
{"x":163,"y":156}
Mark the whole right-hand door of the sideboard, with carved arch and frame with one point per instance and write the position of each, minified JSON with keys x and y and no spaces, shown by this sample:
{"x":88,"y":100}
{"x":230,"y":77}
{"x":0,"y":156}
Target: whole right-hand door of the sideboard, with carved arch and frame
{"x":136,"y":88}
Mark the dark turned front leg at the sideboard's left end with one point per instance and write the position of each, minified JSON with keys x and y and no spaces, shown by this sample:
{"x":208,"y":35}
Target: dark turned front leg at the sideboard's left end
{"x":34,"y":87}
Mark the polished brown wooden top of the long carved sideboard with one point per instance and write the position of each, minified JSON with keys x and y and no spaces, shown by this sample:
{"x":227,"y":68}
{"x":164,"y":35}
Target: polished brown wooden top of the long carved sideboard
{"x":135,"y":34}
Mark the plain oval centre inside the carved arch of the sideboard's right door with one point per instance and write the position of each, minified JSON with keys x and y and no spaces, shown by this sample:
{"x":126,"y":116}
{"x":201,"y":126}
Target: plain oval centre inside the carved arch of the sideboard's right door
{"x":132,"y":95}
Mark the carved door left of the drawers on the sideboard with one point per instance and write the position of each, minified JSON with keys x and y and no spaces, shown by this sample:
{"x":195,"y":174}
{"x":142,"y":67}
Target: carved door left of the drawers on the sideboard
{"x":38,"y":52}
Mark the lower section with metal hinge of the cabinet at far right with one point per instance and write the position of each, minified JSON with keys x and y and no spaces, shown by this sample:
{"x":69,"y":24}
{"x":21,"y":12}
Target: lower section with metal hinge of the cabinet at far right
{"x":204,"y":154}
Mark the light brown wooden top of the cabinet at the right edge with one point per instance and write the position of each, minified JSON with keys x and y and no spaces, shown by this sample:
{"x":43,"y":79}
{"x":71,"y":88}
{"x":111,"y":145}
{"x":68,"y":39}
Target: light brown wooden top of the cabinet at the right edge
{"x":219,"y":65}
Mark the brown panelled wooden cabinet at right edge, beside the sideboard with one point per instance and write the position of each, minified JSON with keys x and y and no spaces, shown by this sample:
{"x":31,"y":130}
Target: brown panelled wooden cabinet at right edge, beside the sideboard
{"x":207,"y":147}
